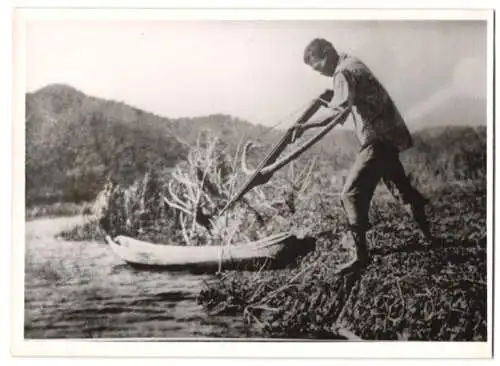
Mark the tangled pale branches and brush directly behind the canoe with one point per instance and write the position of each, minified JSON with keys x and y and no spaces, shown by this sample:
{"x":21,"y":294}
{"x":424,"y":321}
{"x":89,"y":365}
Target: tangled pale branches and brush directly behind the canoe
{"x":180,"y":206}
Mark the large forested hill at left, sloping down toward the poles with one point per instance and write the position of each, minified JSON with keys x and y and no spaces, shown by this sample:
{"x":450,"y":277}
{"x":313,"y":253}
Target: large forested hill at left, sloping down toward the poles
{"x":74,"y":142}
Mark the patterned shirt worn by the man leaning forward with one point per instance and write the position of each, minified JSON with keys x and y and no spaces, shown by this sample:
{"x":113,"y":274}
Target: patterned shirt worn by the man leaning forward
{"x":374,"y":114}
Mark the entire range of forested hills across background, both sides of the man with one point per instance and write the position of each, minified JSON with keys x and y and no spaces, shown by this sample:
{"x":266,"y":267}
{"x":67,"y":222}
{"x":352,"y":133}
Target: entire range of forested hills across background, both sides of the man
{"x":74,"y":142}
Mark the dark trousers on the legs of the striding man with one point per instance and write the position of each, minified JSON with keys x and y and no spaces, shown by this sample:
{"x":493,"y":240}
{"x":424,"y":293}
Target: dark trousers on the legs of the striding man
{"x":377,"y":160}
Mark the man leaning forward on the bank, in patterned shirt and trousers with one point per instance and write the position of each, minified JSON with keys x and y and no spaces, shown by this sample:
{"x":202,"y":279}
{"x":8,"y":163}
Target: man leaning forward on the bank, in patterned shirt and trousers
{"x":382,"y":134}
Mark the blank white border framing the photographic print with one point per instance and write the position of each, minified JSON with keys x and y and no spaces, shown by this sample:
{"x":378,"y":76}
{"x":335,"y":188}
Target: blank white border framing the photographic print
{"x":217,"y":348}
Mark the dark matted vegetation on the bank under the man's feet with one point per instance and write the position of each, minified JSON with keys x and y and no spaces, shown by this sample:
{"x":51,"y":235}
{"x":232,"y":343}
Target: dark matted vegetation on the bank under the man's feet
{"x":412,"y":290}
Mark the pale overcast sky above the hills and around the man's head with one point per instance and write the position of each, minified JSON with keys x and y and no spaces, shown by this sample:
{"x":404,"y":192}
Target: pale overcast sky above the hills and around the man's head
{"x":252,"y":69}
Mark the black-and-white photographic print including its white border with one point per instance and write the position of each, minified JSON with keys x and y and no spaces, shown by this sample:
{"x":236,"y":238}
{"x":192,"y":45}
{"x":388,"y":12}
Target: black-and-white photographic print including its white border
{"x":240,"y":177}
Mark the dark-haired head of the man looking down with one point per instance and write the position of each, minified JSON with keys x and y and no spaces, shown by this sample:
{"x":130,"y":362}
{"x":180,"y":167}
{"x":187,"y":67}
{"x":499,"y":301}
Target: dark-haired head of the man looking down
{"x":321,"y":56}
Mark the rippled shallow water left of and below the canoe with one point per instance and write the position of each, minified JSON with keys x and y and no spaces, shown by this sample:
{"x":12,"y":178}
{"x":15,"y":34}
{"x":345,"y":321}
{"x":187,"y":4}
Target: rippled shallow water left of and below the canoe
{"x":82,"y":290}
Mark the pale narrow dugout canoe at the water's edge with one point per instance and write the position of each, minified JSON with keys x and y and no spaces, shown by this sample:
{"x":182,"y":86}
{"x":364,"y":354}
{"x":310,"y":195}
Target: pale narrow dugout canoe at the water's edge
{"x":276,"y":251}
